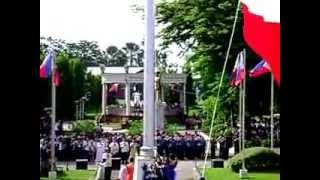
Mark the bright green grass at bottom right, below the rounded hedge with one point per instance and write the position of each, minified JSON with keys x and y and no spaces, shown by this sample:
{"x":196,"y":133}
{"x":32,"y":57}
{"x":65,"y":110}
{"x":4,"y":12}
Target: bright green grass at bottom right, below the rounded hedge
{"x":227,"y":174}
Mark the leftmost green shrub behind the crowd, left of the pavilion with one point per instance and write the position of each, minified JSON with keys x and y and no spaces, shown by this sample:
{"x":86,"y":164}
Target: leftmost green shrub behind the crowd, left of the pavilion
{"x":84,"y":127}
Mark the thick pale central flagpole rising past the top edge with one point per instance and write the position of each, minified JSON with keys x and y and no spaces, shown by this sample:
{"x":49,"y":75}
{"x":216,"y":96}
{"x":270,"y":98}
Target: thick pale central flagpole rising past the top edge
{"x":146,"y":153}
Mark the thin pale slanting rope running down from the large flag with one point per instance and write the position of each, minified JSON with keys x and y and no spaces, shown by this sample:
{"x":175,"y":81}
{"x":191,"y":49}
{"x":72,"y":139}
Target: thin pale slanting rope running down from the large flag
{"x":219,"y":88}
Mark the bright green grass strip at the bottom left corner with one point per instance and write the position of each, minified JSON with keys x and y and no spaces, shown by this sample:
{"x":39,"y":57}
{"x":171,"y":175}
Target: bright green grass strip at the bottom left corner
{"x":75,"y":175}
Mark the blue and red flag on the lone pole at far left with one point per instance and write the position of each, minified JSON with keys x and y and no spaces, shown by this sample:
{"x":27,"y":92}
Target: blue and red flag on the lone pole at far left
{"x":46,"y":69}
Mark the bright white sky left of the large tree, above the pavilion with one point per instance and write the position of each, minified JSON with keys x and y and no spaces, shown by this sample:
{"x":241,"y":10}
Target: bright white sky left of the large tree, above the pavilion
{"x":109,"y":22}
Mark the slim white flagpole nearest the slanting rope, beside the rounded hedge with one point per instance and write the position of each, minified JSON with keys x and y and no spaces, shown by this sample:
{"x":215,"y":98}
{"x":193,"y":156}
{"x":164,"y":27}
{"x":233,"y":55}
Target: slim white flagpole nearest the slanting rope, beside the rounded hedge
{"x":243,"y":106}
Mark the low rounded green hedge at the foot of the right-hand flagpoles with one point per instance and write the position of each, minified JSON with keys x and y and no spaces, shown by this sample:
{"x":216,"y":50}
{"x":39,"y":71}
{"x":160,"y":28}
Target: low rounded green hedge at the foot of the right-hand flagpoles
{"x":256,"y":159}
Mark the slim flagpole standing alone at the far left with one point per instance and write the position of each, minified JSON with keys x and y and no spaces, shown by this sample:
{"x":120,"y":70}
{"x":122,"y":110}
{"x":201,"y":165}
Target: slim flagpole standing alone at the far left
{"x":53,"y":115}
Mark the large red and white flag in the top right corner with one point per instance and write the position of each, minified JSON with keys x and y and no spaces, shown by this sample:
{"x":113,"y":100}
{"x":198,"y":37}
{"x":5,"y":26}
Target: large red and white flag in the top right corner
{"x":261,"y":30}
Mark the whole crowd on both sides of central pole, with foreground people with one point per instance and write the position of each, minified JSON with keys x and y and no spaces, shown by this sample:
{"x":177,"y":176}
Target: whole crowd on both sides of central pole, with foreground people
{"x":102,"y":147}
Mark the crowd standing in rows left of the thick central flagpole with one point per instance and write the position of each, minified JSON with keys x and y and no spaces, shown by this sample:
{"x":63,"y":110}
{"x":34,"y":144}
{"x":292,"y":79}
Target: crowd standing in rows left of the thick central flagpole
{"x":72,"y":147}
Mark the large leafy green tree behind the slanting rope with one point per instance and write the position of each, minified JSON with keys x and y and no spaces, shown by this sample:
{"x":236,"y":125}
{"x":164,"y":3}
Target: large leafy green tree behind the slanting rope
{"x":202,"y":28}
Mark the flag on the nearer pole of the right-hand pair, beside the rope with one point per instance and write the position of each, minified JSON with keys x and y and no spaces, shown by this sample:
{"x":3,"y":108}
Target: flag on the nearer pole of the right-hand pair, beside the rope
{"x":239,"y":71}
